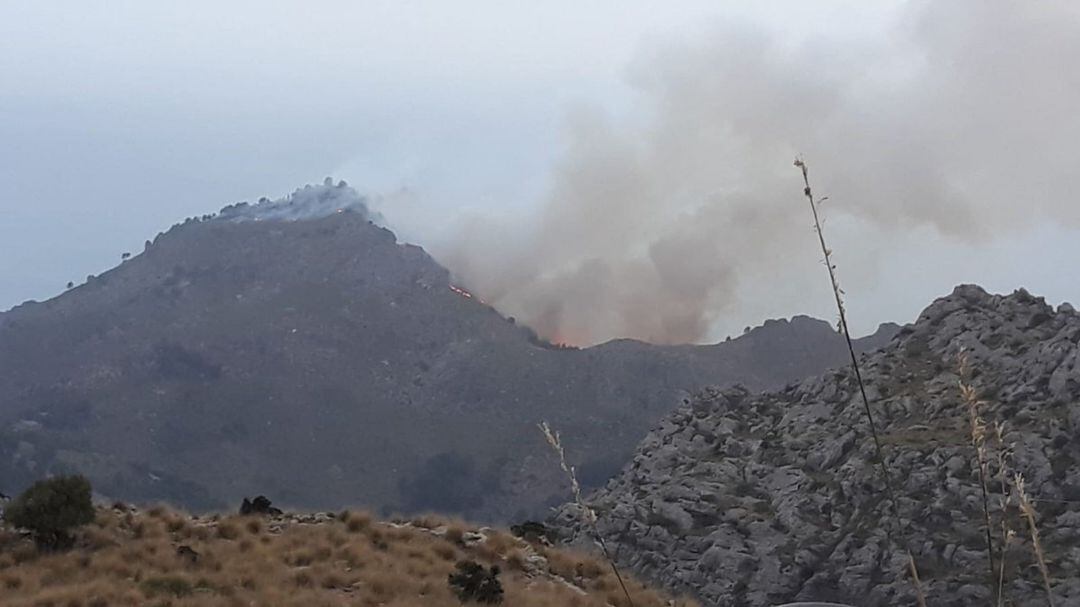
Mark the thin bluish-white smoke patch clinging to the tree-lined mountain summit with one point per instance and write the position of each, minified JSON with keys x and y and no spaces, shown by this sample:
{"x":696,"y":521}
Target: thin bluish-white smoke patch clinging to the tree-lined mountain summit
{"x":309,"y":203}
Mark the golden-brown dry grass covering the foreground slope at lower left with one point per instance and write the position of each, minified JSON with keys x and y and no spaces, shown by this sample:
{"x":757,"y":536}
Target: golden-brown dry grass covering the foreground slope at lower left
{"x":128,"y":558}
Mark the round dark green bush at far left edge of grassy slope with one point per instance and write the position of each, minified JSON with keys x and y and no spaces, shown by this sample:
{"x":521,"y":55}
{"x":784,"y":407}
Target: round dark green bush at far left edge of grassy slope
{"x":50,"y":509}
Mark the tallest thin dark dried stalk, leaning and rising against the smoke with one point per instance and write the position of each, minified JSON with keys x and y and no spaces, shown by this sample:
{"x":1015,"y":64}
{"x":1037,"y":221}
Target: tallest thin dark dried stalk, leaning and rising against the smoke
{"x":843,"y":323}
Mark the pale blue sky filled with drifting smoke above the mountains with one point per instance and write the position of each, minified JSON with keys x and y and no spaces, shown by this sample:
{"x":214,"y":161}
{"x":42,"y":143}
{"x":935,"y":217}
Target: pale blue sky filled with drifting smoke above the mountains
{"x":600,"y":170}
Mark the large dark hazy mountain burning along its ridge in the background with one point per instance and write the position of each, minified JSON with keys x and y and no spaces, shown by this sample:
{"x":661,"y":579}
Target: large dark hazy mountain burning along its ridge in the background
{"x":294,"y":348}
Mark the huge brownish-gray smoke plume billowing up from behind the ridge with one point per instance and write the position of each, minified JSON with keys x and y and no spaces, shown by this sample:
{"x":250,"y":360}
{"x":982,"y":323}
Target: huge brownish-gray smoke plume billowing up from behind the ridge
{"x":963,"y":120}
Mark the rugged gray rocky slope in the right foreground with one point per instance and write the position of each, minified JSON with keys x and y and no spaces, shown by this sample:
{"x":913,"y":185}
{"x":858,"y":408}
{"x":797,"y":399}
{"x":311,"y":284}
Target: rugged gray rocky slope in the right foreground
{"x":758,"y":501}
